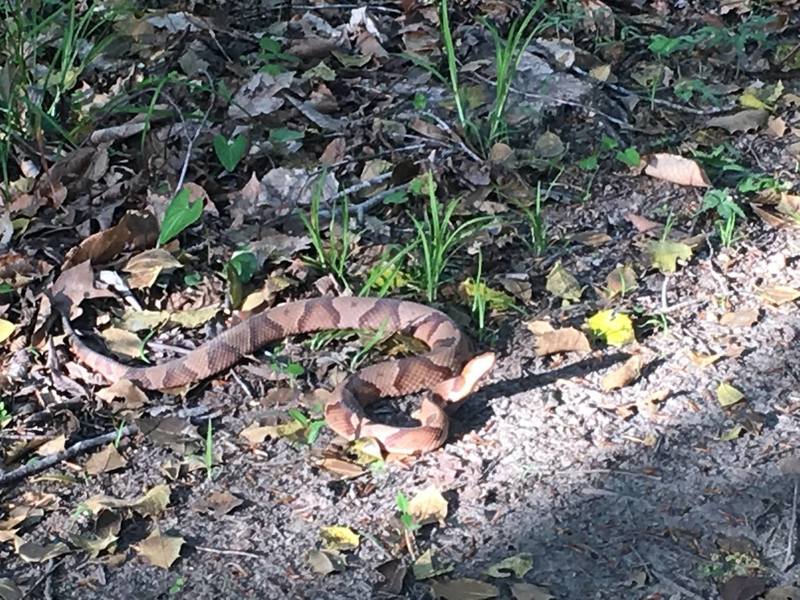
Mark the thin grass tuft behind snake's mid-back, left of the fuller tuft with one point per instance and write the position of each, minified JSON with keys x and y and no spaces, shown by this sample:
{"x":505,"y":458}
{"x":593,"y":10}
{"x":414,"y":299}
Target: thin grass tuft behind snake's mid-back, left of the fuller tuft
{"x":333,"y":255}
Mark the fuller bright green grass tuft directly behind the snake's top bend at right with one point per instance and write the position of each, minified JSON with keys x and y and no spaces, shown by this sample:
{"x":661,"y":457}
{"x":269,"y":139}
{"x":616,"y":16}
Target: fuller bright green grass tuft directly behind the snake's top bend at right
{"x":438,"y":238}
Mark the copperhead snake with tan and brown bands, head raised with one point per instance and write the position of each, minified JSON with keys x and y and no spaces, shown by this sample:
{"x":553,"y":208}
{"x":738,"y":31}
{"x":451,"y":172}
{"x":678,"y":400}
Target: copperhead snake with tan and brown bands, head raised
{"x":445,"y":368}
